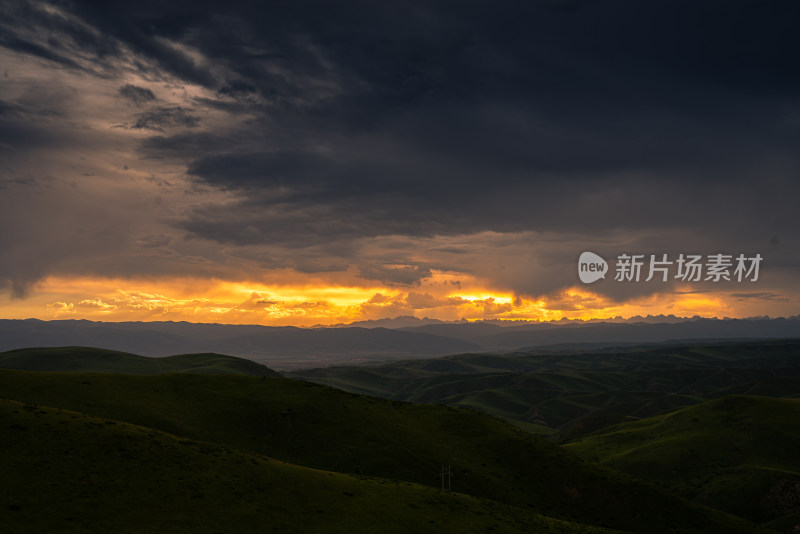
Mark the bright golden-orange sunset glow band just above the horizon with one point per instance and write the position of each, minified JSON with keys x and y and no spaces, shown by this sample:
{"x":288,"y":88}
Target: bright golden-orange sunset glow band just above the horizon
{"x":220,"y":301}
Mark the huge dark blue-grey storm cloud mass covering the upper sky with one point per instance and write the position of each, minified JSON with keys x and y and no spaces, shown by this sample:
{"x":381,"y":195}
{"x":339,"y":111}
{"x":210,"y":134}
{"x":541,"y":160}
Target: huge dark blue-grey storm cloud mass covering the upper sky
{"x":663,"y":124}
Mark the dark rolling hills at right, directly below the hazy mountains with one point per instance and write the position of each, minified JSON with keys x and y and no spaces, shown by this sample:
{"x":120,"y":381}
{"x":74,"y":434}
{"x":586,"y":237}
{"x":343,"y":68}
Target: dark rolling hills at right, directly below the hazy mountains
{"x":573,"y":393}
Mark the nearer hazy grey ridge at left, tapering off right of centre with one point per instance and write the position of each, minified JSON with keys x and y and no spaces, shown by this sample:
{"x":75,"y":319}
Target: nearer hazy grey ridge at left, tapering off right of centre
{"x":266,"y":344}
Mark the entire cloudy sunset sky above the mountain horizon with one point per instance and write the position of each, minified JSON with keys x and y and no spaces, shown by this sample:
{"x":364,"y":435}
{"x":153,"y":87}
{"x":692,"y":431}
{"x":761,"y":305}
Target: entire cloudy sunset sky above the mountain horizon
{"x":317,"y":162}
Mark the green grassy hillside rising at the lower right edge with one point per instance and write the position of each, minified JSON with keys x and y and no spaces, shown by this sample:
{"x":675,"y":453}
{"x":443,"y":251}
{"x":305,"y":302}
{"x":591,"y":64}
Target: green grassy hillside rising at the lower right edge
{"x":736,"y":453}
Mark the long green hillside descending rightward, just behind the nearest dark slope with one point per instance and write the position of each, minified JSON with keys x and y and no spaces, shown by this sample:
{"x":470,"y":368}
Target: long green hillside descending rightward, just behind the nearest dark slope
{"x":310,"y":425}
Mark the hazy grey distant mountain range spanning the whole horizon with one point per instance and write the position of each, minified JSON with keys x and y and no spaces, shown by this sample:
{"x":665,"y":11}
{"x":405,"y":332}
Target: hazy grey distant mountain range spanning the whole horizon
{"x":292,"y":347}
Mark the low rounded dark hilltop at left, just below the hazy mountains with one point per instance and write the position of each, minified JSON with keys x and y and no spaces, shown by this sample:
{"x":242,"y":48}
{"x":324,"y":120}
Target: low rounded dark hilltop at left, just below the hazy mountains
{"x":87,"y":359}
